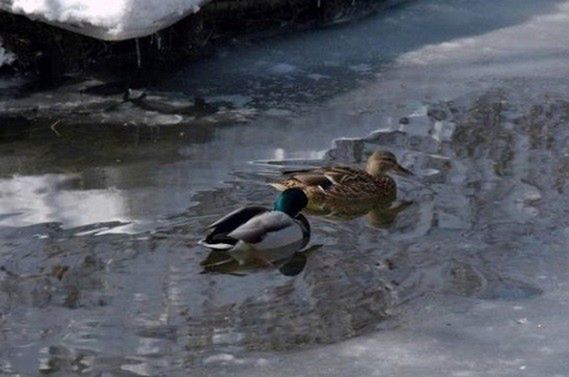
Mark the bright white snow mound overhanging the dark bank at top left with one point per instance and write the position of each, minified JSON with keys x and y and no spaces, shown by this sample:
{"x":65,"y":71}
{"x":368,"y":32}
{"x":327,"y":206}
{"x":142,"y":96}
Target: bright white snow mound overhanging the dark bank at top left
{"x":105,"y":19}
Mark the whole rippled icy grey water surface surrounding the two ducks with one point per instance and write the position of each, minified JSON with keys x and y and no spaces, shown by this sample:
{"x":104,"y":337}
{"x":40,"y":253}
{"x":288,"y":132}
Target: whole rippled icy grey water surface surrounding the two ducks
{"x":102,"y":202}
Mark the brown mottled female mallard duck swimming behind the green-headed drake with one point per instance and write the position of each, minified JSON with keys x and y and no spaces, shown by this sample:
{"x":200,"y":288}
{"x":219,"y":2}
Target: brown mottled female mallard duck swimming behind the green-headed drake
{"x":342,"y":183}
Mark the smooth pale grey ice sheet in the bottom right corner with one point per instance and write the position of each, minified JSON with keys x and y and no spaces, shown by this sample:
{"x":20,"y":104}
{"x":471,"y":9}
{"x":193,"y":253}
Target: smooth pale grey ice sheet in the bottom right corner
{"x":462,"y":339}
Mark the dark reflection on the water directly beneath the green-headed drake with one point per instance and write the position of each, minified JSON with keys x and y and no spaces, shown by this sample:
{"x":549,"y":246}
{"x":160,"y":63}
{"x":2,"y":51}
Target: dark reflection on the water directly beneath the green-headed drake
{"x":287,"y":262}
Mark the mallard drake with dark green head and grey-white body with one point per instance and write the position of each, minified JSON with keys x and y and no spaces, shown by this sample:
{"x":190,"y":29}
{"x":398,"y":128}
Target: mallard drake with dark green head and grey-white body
{"x":259,"y":233}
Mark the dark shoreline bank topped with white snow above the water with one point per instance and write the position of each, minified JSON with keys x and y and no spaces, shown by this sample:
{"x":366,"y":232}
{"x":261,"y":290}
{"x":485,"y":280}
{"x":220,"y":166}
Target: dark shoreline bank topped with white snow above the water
{"x":52,"y":51}
